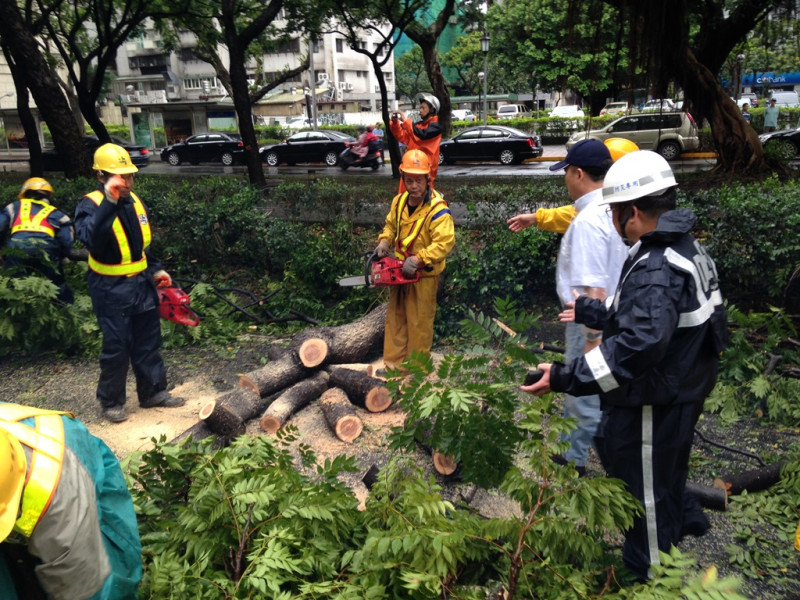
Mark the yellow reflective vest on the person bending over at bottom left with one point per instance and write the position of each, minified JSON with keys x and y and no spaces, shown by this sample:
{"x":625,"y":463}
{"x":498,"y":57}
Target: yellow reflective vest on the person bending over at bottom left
{"x":46,"y":440}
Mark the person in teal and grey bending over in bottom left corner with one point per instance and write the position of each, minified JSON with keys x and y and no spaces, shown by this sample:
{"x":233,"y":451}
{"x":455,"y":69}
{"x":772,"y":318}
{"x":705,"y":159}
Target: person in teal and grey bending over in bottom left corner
{"x":68,"y":530}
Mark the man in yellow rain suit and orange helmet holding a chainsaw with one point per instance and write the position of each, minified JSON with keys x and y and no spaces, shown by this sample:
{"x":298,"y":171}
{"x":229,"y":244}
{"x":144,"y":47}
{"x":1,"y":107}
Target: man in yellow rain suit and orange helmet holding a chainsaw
{"x":419,"y":229}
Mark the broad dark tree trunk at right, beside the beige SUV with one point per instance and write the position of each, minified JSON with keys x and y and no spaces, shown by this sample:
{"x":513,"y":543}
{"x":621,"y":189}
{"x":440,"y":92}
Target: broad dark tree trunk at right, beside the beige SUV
{"x":735,"y":140}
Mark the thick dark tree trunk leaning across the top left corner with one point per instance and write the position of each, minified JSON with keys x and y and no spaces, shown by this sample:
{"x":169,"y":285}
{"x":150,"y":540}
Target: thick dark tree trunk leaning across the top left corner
{"x":43,"y":84}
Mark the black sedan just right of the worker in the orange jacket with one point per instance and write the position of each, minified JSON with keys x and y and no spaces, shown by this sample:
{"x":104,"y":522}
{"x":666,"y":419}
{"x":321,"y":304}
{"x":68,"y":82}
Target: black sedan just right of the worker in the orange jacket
{"x":492,"y":142}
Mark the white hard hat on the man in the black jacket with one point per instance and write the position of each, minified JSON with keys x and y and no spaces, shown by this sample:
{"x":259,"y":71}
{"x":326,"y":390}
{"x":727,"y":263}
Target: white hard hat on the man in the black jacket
{"x":636,"y":175}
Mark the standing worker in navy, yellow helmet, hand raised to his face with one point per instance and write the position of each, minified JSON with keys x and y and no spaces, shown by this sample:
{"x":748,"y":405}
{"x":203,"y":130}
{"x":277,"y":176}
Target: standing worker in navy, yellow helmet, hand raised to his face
{"x":113,"y":223}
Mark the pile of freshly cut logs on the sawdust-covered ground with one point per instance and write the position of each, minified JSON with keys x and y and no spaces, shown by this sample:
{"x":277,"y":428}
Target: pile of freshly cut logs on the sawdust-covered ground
{"x":314,"y":366}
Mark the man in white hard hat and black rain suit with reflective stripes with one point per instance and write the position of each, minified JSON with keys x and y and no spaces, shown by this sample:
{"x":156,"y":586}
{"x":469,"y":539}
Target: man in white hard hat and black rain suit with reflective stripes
{"x":663,"y":332}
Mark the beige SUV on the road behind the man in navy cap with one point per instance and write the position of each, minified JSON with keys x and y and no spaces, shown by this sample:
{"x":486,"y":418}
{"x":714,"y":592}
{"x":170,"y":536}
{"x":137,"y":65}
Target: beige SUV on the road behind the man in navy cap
{"x":669,"y":134}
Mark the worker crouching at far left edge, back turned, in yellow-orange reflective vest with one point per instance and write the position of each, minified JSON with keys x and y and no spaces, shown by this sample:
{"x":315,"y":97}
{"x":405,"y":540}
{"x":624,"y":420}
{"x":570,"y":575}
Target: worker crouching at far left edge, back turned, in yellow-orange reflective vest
{"x":39,"y":236}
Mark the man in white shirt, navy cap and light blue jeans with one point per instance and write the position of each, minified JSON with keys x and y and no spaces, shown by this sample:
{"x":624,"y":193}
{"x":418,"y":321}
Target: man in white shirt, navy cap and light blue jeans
{"x":589,"y":263}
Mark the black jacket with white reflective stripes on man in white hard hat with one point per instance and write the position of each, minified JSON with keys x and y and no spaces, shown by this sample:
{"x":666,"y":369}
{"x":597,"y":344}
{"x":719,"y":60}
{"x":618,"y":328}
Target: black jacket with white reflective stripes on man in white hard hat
{"x":664,"y":329}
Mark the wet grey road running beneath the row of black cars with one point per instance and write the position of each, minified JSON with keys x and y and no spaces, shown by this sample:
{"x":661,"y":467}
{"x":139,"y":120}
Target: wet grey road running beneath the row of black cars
{"x":532,"y":168}
